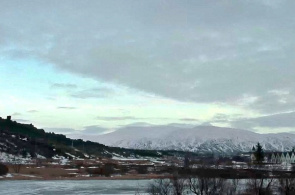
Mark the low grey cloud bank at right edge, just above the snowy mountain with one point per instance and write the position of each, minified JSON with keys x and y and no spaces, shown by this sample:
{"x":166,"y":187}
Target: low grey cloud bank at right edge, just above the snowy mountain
{"x":282,"y":120}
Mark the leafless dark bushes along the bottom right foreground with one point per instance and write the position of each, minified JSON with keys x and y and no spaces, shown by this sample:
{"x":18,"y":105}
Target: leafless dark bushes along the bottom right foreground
{"x":201,"y":185}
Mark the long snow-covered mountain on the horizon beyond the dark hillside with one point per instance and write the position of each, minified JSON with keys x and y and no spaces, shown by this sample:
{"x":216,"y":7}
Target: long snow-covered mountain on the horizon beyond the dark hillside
{"x":198,"y":139}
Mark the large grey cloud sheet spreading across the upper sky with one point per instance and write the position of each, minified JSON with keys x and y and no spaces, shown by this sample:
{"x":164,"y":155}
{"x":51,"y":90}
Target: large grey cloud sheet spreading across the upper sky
{"x":200,"y":51}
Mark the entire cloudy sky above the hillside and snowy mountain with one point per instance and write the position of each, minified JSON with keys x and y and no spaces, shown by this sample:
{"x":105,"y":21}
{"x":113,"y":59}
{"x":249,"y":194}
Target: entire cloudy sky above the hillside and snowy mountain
{"x":91,"y":64}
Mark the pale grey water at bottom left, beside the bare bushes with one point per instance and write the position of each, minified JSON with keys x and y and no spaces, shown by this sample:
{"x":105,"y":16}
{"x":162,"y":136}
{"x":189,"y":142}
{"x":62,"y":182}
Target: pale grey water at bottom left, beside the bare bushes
{"x":73,"y":187}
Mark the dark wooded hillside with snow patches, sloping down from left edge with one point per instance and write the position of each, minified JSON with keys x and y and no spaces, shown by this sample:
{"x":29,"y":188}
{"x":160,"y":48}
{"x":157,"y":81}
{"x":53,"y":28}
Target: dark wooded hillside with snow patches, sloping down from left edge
{"x":24,"y":139}
